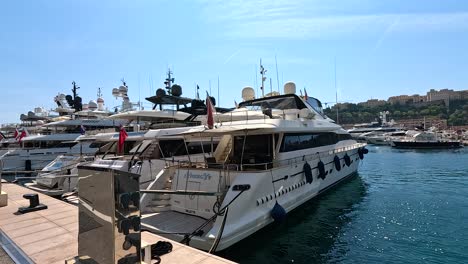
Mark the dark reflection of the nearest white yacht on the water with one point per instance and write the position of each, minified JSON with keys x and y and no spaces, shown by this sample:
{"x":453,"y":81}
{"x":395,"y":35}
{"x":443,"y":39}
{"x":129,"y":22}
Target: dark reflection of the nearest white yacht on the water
{"x":309,"y":232}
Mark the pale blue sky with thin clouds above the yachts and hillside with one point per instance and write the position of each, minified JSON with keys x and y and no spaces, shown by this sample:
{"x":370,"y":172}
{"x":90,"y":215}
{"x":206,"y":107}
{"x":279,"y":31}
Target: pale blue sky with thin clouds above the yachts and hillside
{"x":380,"y":48}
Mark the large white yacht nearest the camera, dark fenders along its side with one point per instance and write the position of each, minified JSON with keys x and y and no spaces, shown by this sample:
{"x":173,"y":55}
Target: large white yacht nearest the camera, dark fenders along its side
{"x":261,"y":169}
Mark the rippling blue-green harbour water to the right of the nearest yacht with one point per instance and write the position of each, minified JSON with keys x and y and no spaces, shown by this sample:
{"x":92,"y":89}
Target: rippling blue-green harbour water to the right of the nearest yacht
{"x":405,"y":206}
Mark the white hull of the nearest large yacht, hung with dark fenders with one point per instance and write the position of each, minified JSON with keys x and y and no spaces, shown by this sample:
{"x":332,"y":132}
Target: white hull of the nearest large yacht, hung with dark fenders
{"x":251,"y":211}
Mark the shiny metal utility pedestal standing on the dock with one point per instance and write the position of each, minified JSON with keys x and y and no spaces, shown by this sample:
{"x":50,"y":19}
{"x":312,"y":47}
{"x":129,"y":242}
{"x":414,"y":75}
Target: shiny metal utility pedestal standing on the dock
{"x":109,"y":214}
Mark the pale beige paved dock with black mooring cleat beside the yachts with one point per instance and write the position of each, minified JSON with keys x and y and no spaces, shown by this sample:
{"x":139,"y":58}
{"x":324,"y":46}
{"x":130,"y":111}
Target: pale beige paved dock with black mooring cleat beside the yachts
{"x":51,"y":235}
